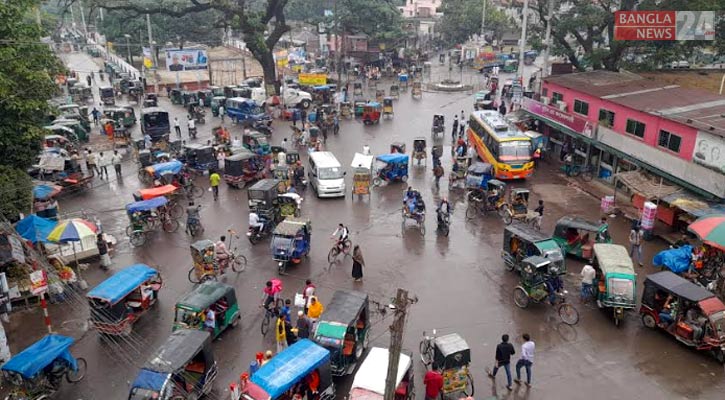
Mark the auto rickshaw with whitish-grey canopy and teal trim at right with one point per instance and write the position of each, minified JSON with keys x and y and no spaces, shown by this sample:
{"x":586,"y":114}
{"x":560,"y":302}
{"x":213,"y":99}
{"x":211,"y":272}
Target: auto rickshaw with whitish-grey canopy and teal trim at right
{"x":615,"y":286}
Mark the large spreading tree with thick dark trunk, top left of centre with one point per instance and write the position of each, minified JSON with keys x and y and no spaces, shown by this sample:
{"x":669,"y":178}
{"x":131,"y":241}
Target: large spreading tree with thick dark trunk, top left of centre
{"x":261,"y":23}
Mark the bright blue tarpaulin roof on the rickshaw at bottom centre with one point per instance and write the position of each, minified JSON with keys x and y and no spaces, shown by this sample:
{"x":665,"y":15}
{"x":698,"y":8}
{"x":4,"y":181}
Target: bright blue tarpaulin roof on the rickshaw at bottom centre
{"x":289,"y":367}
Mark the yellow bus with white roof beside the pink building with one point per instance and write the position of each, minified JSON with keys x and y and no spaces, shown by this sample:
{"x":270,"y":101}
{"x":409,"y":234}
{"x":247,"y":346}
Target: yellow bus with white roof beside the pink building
{"x":501,"y":144}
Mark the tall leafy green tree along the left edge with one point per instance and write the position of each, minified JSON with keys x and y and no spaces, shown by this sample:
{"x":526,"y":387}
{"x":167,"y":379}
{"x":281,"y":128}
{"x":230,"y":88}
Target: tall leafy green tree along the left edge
{"x":27,"y":67}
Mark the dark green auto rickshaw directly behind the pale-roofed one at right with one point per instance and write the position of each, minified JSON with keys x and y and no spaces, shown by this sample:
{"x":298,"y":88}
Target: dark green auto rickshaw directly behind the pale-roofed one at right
{"x":576,"y":236}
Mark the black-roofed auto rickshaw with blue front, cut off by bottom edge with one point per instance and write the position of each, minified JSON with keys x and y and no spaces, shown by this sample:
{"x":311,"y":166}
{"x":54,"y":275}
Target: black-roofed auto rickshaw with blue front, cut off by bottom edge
{"x":181,"y":368}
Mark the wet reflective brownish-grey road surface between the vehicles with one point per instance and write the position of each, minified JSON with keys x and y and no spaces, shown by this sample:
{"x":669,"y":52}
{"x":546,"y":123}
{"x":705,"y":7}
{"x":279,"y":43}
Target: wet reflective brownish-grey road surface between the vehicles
{"x":460,"y":281}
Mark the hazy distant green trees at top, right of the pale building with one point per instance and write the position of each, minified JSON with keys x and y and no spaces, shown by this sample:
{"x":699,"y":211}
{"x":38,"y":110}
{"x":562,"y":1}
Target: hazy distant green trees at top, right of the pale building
{"x":462,"y":18}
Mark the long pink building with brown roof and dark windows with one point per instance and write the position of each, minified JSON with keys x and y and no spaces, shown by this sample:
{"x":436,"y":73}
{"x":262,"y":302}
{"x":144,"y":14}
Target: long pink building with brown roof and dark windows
{"x":619,"y":122}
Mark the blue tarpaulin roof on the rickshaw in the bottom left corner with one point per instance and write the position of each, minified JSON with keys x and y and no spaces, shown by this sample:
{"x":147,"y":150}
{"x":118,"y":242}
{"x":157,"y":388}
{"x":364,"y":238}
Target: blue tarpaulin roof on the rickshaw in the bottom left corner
{"x":41,"y":354}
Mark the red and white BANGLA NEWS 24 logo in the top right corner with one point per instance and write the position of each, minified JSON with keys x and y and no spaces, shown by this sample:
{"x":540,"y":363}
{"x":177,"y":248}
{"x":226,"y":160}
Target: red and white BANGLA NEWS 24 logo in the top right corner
{"x":664,"y":25}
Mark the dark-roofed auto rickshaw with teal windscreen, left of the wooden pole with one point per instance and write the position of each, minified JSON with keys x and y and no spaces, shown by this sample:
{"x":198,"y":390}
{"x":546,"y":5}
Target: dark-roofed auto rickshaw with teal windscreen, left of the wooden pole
{"x":343,"y":329}
